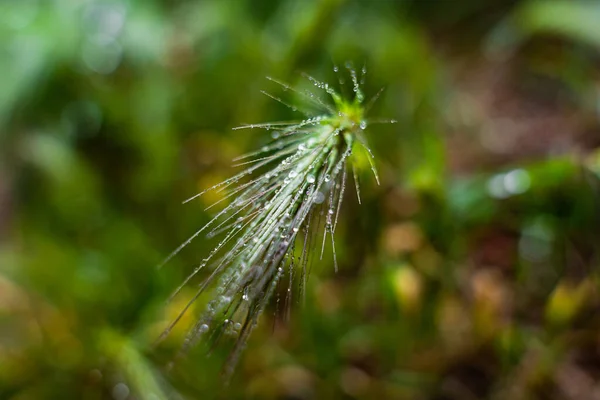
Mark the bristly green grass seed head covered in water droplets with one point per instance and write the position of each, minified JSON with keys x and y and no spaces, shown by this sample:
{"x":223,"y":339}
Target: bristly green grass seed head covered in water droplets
{"x":280,"y":211}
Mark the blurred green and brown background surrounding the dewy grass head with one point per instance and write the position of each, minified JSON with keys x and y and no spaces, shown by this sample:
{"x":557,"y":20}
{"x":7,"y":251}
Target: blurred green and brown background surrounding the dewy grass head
{"x":469,"y":273}
